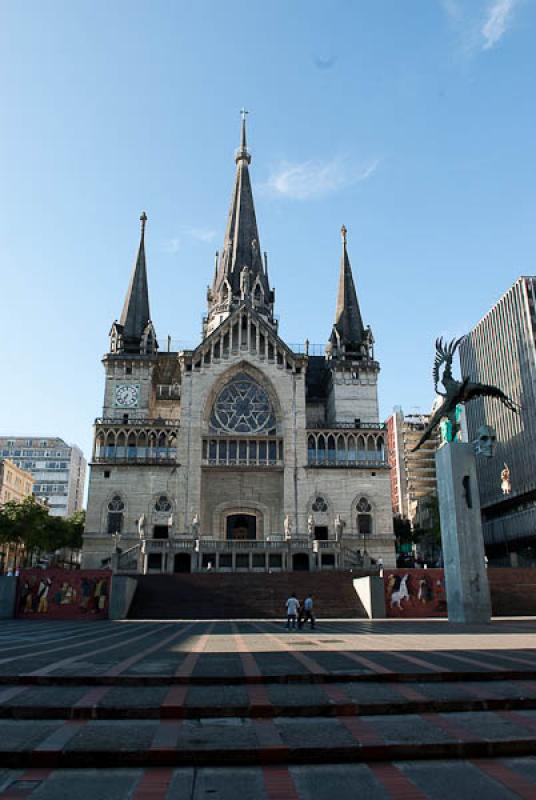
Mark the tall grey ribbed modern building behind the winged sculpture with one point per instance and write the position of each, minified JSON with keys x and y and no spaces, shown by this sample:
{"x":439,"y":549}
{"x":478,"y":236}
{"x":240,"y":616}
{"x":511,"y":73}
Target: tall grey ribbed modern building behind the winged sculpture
{"x":501,"y":350}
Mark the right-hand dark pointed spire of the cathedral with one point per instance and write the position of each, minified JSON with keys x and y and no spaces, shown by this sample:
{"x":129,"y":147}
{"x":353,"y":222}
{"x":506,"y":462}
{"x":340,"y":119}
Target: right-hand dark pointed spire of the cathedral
{"x":348,"y":331}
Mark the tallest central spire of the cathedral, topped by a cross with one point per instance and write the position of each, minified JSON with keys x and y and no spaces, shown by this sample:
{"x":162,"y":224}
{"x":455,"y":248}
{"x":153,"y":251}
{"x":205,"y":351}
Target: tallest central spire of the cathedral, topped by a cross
{"x":240,"y":275}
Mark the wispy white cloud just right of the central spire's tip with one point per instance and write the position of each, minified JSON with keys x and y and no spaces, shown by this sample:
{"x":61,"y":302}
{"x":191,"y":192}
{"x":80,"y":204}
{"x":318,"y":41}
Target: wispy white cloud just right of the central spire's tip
{"x":315,"y":178}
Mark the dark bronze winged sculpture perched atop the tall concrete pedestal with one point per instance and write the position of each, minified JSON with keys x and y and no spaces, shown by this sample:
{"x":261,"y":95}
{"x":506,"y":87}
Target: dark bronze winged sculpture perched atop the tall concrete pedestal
{"x":456,"y":392}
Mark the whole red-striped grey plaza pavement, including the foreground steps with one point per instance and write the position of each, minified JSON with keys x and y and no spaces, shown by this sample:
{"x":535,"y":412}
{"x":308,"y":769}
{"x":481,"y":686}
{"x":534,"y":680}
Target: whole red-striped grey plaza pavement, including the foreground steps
{"x":394,"y":708}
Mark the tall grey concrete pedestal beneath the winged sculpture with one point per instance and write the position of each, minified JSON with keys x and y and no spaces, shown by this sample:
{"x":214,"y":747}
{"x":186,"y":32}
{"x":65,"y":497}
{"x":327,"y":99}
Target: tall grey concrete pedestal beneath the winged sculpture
{"x":466,"y":581}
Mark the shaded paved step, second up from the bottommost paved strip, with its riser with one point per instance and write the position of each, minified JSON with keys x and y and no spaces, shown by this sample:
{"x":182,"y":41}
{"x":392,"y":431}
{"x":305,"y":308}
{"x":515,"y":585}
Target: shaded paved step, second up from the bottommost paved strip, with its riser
{"x":260,"y":701}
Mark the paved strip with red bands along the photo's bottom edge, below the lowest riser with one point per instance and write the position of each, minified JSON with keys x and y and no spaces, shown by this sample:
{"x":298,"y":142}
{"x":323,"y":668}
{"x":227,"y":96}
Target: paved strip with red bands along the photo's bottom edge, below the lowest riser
{"x":501,"y":779}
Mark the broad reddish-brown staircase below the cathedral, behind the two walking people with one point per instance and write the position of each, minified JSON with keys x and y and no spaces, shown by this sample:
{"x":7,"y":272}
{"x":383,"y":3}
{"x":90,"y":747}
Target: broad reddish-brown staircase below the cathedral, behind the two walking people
{"x":244,"y":595}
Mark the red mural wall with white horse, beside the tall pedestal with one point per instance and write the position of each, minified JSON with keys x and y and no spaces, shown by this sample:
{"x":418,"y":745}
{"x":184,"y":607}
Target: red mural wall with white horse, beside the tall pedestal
{"x":415,"y":593}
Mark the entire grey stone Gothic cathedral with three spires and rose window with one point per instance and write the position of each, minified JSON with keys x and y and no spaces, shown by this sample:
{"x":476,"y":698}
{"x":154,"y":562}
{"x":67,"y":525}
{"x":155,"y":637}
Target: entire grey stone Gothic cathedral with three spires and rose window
{"x":241,"y":454}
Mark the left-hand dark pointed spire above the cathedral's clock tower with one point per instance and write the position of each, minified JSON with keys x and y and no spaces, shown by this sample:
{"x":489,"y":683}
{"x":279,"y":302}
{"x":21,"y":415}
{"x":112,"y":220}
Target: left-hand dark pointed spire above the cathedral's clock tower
{"x":135,"y":322}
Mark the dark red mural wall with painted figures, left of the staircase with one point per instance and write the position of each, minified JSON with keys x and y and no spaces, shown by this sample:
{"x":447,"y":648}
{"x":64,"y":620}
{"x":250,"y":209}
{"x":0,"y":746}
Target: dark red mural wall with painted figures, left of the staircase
{"x":63,"y":594}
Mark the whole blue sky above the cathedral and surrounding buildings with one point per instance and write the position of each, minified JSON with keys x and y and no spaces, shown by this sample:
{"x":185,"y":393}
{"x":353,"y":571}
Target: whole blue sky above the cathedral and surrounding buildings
{"x":413,"y":123}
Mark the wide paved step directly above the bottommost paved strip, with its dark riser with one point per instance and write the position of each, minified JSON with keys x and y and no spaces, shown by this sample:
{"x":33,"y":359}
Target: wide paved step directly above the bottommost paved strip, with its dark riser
{"x":241,"y":742}
